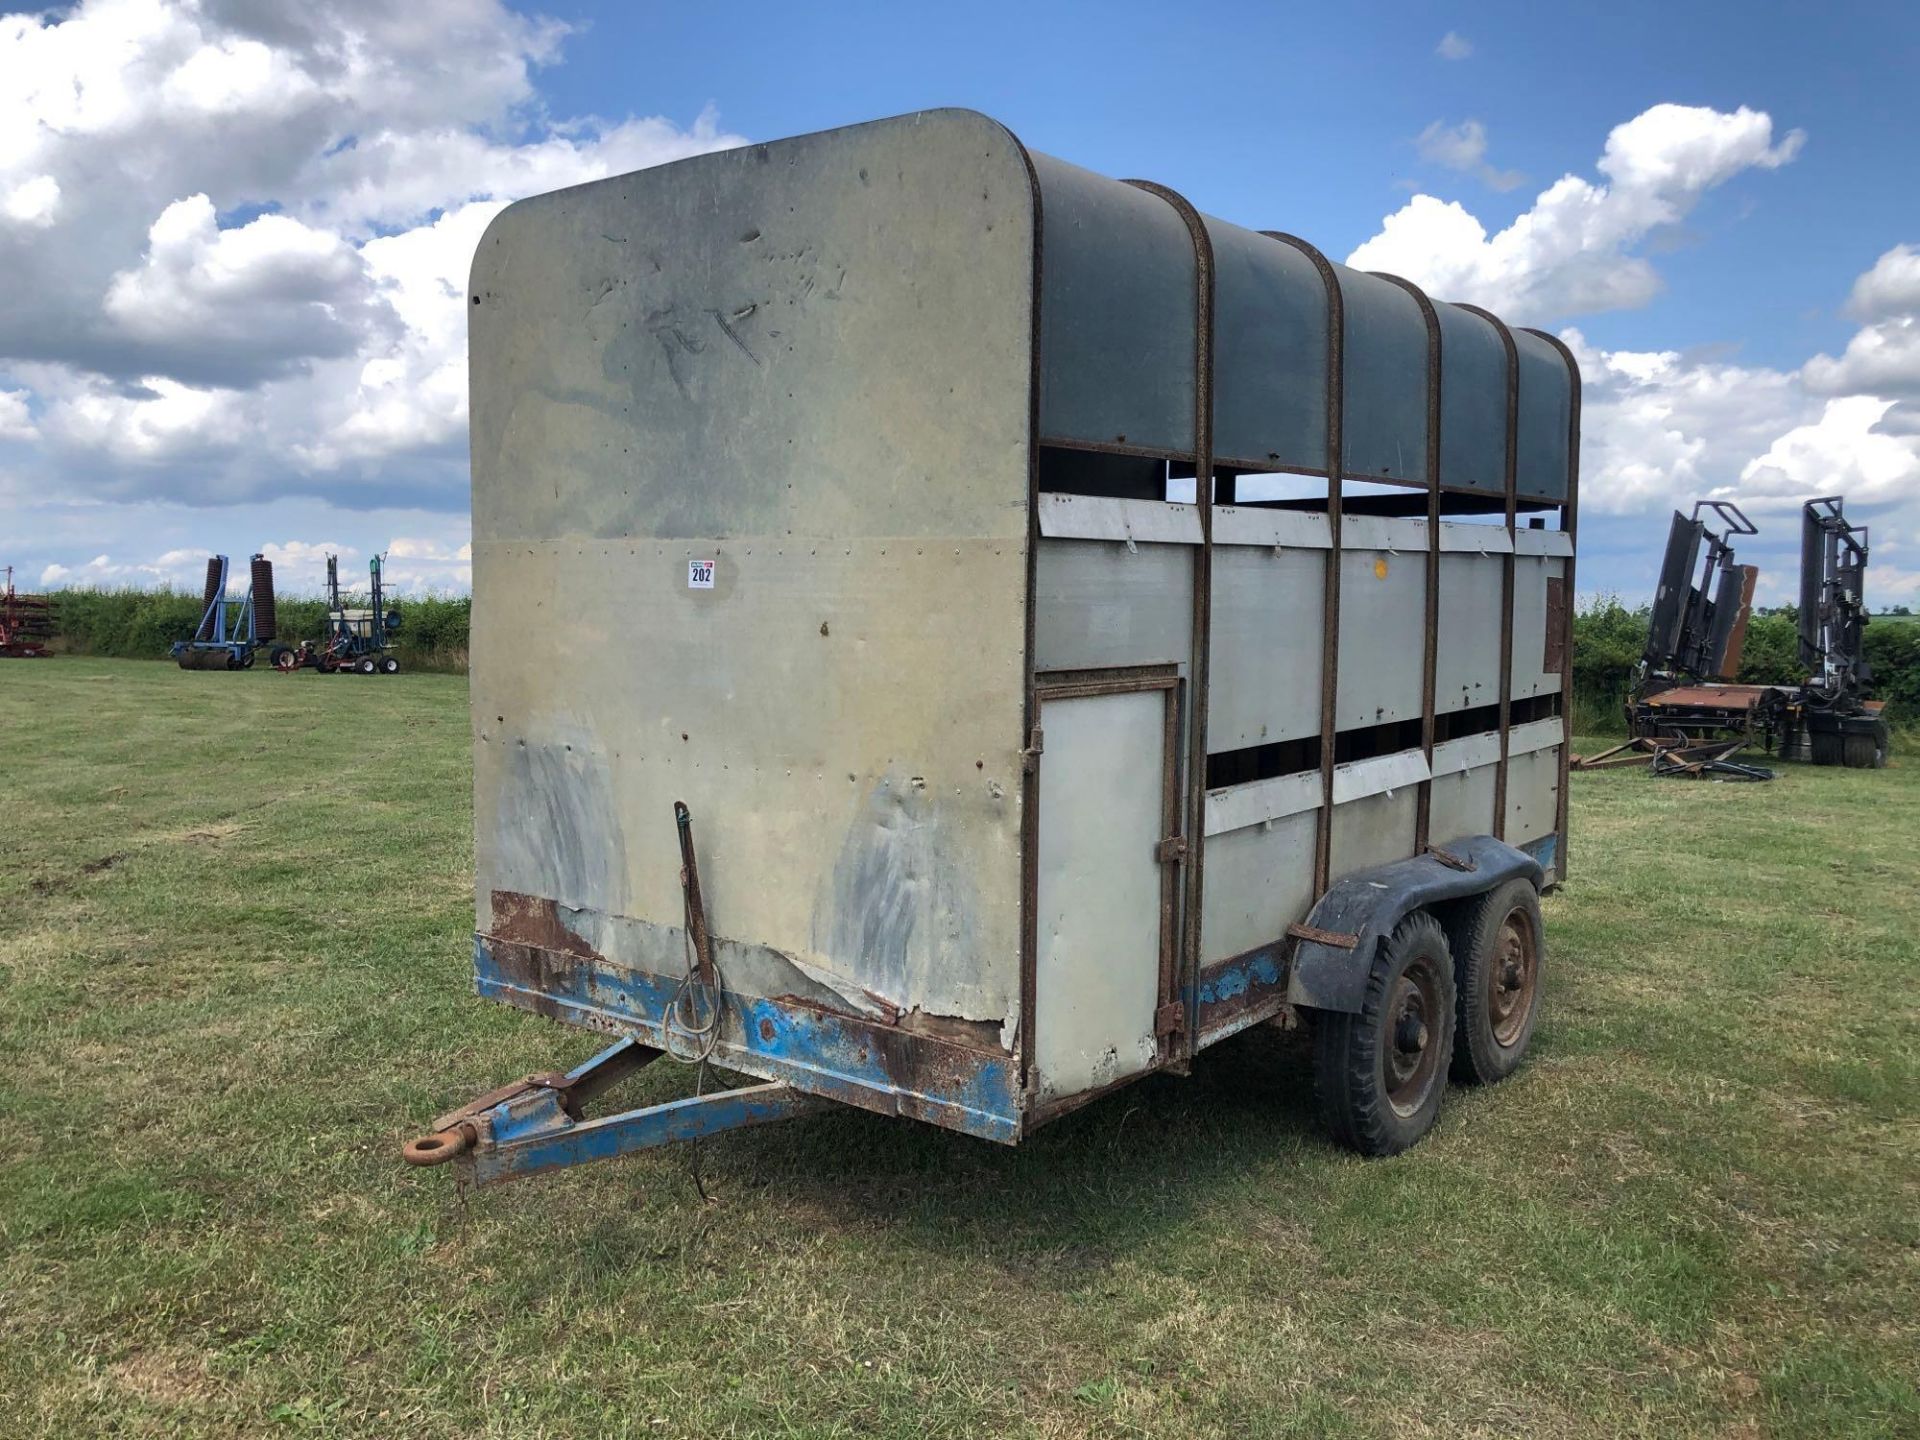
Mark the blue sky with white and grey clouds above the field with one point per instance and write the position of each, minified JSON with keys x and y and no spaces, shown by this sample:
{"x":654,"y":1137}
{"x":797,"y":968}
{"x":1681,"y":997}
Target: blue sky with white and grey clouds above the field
{"x":235,"y":233}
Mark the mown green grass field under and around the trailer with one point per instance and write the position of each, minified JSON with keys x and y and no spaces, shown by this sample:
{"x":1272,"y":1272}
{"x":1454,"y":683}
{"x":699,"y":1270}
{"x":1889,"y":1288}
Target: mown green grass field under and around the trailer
{"x":235,"y":974}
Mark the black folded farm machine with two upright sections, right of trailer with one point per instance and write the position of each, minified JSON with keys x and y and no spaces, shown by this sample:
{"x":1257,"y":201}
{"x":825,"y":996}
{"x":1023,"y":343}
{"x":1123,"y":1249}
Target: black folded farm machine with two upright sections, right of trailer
{"x":1685,"y":696}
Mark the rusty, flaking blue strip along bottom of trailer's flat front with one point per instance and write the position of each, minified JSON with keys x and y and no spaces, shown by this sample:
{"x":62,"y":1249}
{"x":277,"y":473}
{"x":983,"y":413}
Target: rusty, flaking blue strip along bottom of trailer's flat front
{"x":817,"y":1051}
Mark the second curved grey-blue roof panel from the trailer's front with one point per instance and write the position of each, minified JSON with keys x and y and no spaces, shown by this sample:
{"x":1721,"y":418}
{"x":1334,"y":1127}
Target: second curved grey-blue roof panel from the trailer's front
{"x":1270,"y":352}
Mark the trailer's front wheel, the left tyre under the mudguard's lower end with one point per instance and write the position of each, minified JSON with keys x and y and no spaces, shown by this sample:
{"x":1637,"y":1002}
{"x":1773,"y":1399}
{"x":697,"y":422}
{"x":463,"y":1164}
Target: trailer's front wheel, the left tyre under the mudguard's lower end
{"x":1381,"y":1074}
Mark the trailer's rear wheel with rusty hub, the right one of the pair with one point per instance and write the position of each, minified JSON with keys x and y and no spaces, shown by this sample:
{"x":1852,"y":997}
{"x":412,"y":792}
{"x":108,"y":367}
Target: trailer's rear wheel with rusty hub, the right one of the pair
{"x":1499,"y":946}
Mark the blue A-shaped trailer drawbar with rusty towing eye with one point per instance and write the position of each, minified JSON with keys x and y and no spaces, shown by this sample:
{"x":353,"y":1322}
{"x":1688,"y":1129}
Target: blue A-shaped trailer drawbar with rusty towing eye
{"x":540,"y":1122}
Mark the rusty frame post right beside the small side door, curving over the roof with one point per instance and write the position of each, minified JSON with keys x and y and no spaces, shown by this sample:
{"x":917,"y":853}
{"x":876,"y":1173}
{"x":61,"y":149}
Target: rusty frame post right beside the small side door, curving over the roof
{"x":1203,"y":619}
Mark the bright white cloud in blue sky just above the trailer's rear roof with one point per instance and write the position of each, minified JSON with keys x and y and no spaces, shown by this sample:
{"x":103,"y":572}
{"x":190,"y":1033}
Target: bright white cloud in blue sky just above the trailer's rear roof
{"x":1572,"y":252}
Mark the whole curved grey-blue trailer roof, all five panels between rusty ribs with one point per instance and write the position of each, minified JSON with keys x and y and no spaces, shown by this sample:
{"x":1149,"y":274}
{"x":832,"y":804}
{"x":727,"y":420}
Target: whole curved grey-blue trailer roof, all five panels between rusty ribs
{"x":1120,"y":272}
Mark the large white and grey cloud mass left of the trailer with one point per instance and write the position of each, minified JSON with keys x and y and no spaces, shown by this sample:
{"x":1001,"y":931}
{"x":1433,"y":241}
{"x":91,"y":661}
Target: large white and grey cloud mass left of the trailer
{"x":237,"y":235}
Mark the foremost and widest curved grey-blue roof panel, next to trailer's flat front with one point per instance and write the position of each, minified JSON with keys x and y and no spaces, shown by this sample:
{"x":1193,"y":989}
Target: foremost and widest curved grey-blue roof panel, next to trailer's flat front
{"x":1116,"y":314}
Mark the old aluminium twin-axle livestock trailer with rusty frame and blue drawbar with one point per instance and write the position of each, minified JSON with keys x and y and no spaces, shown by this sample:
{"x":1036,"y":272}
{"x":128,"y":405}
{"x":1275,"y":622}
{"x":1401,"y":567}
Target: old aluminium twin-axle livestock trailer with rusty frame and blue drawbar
{"x":955,"y":635}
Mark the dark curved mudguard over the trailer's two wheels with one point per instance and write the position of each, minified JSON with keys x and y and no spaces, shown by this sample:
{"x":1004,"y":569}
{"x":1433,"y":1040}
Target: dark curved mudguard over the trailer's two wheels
{"x":1330,"y":974}
